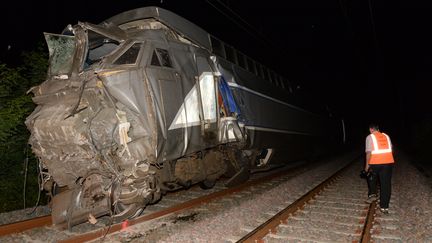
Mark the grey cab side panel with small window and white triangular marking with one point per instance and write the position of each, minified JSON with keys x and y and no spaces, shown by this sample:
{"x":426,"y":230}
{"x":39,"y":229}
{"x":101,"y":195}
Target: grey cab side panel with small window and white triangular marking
{"x":184,"y":97}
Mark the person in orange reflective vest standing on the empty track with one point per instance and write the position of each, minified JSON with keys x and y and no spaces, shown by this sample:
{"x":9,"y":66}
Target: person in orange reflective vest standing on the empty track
{"x":379,"y":163}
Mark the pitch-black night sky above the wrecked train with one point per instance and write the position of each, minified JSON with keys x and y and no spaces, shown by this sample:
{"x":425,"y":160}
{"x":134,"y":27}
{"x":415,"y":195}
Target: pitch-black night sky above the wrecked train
{"x":370,"y":60}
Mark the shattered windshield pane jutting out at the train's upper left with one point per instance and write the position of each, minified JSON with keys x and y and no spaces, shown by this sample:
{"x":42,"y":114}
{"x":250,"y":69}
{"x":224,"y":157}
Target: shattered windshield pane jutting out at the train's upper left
{"x":61,"y":52}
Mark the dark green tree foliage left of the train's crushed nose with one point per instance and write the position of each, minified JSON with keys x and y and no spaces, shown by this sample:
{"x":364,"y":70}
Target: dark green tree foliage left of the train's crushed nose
{"x":15,"y":106}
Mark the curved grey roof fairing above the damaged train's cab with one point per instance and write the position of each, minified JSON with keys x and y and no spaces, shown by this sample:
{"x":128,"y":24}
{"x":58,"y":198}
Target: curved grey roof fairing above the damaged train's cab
{"x":172,"y":20}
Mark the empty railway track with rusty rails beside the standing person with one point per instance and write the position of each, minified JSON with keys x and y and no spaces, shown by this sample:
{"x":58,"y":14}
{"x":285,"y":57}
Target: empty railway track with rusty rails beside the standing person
{"x":334,"y":211}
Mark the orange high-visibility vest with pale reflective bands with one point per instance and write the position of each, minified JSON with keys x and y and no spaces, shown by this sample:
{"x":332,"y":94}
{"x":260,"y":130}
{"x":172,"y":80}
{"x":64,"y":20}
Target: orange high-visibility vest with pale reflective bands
{"x":381,"y":149}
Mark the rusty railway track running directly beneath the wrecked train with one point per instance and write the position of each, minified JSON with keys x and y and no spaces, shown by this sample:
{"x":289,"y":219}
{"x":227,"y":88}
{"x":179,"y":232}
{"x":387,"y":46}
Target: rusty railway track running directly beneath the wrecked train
{"x":170,"y":203}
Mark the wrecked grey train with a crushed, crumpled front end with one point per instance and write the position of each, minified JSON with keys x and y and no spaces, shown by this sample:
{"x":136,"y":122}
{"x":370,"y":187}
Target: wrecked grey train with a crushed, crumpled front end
{"x":147,"y":102}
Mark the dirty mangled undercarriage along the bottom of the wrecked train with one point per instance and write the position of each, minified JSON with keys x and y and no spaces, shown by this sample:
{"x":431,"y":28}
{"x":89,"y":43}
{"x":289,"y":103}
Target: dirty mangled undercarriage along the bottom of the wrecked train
{"x":98,"y":195}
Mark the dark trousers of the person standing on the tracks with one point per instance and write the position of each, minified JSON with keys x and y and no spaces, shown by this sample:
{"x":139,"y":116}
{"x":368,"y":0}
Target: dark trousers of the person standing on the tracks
{"x":382,"y":173}
